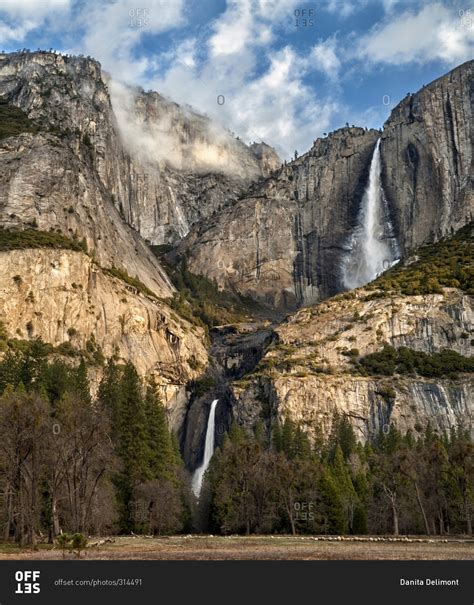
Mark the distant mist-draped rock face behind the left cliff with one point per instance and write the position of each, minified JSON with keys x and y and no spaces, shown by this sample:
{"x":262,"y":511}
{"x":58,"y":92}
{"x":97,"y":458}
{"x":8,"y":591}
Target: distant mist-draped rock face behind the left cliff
{"x":186,"y":167}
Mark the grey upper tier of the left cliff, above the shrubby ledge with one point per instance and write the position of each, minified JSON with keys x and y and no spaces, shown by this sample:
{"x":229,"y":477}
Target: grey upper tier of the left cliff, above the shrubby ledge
{"x":58,"y":178}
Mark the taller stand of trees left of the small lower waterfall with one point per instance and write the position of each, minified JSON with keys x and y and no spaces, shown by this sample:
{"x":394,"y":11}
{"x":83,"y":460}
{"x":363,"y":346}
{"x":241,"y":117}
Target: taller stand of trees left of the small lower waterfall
{"x":73,"y":463}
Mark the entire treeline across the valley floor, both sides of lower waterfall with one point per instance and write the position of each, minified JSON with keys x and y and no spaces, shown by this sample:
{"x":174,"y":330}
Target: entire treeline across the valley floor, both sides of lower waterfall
{"x":73,"y":463}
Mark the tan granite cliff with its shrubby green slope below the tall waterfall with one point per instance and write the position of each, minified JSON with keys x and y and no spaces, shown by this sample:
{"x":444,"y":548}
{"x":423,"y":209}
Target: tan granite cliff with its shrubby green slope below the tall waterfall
{"x":398,"y":351}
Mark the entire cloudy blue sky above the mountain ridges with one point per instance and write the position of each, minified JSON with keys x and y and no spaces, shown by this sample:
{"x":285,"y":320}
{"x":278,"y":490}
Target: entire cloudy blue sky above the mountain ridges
{"x":281,"y":71}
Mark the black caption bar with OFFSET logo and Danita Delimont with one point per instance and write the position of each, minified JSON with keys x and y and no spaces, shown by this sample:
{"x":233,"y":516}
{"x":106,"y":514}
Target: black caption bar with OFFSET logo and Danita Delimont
{"x":245,"y":582}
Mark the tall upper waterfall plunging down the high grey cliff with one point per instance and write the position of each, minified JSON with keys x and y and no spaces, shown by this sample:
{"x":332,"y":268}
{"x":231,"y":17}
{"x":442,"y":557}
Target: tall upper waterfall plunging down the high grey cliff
{"x":372,"y":247}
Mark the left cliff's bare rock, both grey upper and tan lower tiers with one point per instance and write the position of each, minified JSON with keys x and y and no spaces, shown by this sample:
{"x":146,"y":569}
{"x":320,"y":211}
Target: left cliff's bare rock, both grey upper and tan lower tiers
{"x":63,"y":178}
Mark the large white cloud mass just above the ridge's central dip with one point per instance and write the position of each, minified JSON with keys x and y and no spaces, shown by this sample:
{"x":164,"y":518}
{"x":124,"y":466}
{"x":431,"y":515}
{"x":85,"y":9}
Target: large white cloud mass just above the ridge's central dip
{"x":275,"y":106}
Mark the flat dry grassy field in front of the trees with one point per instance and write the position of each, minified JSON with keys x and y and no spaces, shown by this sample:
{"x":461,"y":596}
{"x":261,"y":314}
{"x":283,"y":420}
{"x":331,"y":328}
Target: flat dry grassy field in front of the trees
{"x":256,"y":548}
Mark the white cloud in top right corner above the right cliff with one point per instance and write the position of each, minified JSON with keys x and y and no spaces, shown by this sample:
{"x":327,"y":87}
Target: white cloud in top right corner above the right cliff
{"x":433,"y":33}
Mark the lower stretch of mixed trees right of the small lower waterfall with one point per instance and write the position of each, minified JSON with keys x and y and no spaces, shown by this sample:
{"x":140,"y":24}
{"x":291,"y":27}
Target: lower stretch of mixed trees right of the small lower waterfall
{"x":398,"y":484}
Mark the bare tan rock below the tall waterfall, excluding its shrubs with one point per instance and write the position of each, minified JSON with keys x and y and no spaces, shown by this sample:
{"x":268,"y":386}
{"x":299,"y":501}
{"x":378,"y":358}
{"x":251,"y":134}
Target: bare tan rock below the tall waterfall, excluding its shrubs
{"x":308,"y":375}
